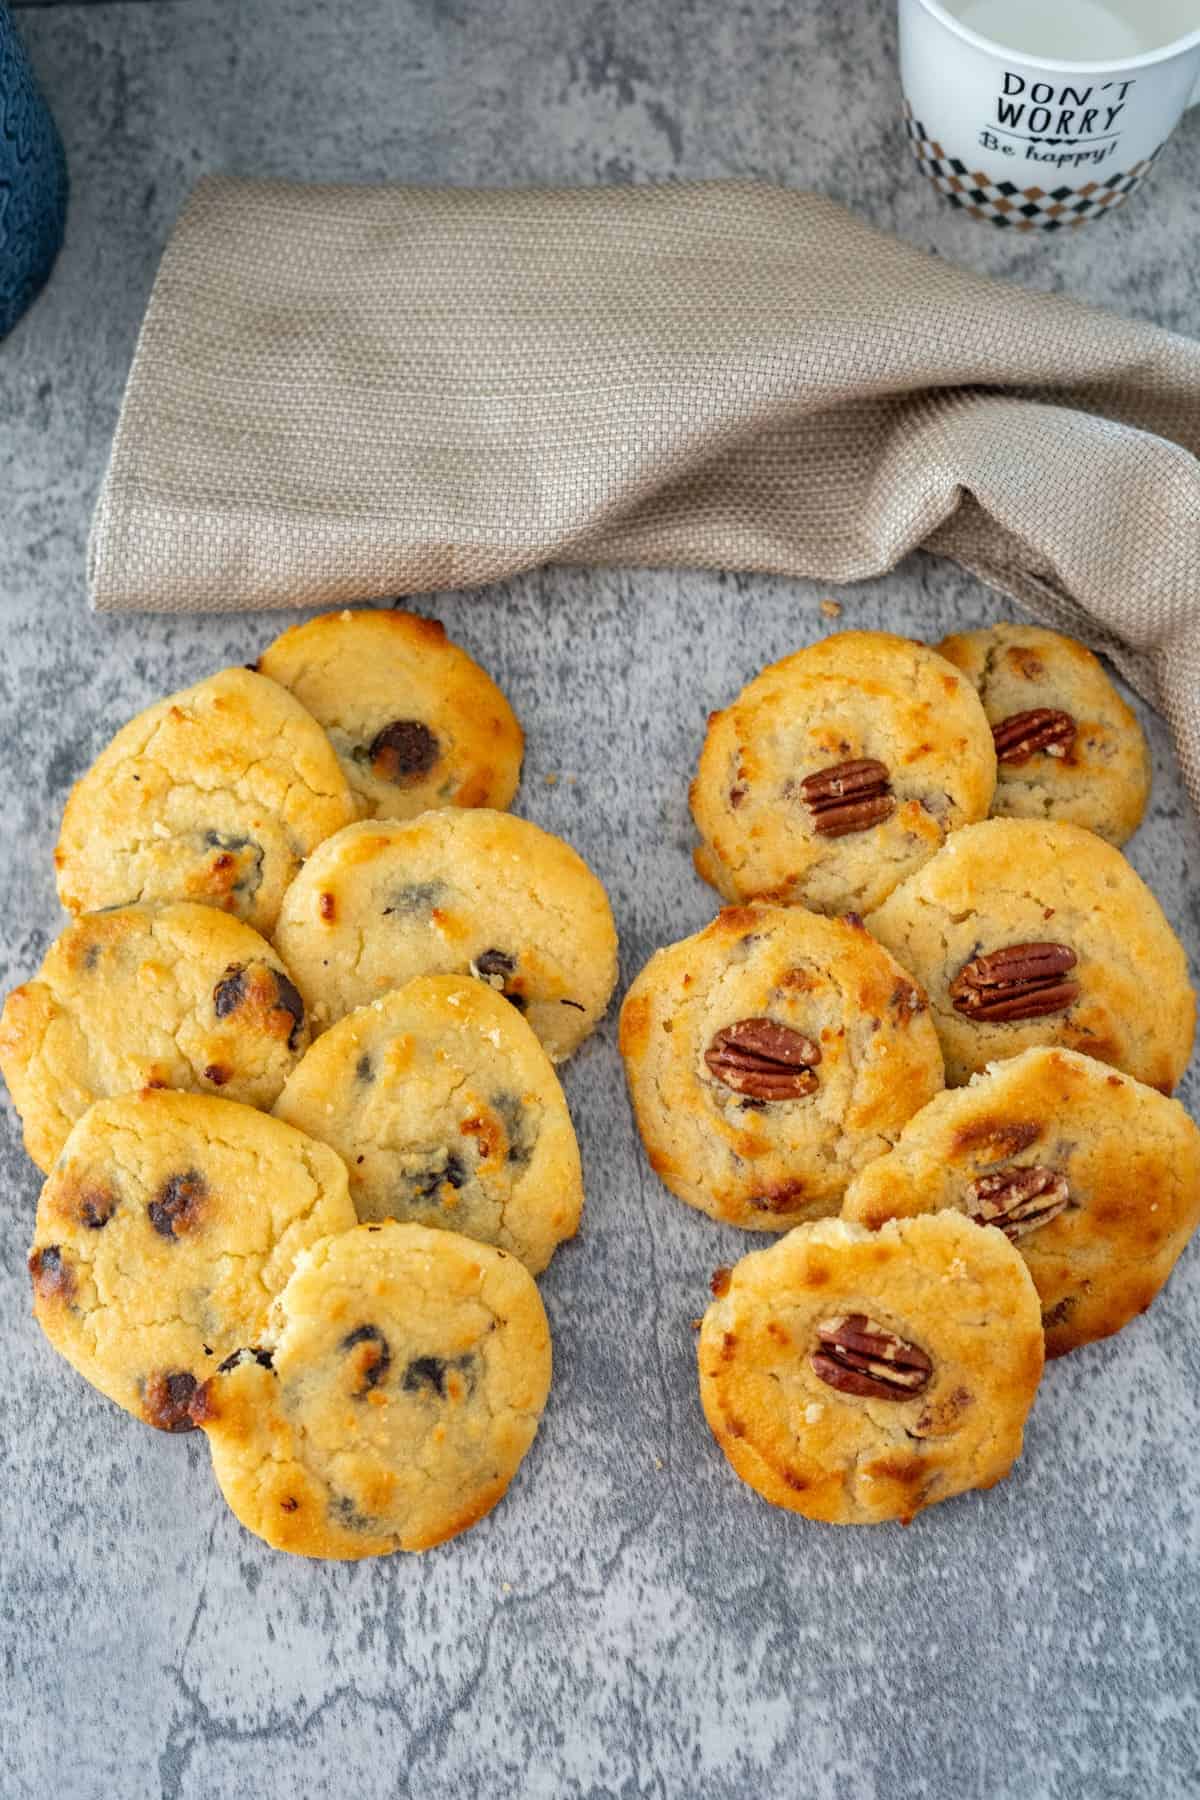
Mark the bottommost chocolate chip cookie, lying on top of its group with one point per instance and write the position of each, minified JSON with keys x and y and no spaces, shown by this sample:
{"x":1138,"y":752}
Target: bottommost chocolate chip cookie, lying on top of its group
{"x":391,"y":1399}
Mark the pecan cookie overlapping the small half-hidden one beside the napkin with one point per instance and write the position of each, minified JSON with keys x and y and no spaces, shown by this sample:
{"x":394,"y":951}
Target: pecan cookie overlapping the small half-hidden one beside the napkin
{"x":839,"y":771}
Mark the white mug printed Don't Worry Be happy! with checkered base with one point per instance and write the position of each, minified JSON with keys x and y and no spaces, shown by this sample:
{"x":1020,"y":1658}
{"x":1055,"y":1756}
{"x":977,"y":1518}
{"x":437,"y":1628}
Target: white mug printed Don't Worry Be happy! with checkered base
{"x":1039,"y":143}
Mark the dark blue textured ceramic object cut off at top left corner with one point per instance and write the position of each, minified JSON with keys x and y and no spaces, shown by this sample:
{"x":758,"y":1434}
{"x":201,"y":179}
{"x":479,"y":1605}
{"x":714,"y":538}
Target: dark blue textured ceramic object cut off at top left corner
{"x":33,"y":181}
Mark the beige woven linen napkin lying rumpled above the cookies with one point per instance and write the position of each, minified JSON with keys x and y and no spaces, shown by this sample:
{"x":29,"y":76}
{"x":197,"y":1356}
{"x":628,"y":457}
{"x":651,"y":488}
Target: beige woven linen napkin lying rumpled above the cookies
{"x":346,"y":393}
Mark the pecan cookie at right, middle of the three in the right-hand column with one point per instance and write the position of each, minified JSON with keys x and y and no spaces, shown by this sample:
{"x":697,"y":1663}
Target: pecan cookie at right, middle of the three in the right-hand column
{"x":1026,"y":933}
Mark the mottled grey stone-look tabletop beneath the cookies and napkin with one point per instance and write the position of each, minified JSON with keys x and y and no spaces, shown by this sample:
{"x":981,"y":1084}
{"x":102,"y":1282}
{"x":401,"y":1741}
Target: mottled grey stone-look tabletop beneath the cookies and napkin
{"x":632,"y":1621}
